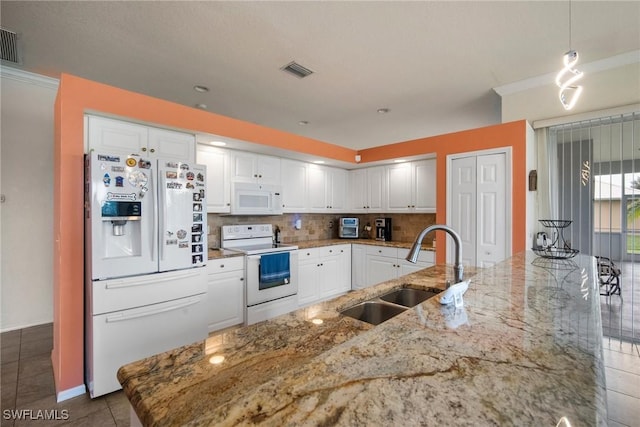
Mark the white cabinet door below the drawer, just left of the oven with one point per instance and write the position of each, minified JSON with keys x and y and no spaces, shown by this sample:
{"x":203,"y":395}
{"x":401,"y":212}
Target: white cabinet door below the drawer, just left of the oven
{"x":225,"y":300}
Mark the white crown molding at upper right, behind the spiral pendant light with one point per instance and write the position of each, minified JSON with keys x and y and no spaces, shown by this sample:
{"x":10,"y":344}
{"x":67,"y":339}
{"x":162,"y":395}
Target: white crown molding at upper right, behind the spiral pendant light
{"x":616,"y":61}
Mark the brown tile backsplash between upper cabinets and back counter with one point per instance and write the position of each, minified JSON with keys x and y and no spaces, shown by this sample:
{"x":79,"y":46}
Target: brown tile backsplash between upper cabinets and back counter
{"x":405,"y":227}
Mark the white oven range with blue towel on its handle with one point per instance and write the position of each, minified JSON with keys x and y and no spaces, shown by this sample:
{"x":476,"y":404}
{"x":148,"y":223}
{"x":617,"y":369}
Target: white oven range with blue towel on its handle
{"x":271,"y":270}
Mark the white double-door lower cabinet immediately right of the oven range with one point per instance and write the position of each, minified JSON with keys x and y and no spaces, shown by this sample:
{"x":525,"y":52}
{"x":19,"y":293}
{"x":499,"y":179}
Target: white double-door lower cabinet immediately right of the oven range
{"x":323,"y":273}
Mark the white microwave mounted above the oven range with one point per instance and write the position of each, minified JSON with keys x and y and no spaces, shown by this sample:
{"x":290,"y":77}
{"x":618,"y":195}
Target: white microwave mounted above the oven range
{"x":256,"y":199}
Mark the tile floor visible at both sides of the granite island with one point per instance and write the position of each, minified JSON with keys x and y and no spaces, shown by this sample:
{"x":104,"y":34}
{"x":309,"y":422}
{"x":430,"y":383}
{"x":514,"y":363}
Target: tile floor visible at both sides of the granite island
{"x":27,"y":384}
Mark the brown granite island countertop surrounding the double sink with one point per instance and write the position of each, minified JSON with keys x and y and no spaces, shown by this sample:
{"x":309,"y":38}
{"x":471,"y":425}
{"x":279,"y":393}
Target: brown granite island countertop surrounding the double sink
{"x":526,"y":349}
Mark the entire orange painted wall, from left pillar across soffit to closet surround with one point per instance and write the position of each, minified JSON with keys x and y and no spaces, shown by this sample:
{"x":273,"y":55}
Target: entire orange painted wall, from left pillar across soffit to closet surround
{"x":78,"y":96}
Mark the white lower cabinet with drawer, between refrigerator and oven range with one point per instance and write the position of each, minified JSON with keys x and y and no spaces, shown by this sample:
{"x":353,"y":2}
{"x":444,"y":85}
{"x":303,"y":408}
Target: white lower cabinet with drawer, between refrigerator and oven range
{"x":225,"y":293}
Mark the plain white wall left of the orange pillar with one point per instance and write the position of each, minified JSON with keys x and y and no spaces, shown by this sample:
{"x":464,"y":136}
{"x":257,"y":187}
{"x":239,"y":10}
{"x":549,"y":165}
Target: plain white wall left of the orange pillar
{"x":26,"y":224}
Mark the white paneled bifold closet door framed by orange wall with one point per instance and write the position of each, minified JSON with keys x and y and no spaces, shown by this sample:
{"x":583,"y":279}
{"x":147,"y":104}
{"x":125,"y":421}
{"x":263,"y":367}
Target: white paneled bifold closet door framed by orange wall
{"x":478,"y":206}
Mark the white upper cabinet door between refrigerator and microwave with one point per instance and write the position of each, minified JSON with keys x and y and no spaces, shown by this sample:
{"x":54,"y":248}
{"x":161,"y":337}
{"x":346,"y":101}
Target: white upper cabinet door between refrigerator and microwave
{"x":218,"y":188}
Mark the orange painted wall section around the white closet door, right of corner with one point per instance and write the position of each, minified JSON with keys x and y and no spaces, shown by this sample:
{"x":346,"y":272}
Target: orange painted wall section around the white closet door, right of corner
{"x":504,"y":135}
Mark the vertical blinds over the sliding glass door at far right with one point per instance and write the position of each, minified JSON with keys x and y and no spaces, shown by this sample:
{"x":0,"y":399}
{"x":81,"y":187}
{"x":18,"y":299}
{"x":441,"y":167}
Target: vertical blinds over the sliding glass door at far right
{"x":594,"y":170}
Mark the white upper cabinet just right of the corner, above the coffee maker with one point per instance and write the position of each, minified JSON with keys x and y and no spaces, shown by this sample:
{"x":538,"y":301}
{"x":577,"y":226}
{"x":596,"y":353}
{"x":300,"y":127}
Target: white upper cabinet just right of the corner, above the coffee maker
{"x":366,"y":189}
